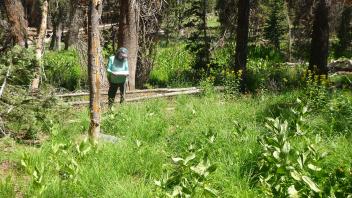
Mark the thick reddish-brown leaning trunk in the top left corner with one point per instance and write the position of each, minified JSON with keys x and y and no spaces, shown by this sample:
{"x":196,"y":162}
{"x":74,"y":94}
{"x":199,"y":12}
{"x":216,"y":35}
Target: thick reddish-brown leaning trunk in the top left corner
{"x":15,"y":14}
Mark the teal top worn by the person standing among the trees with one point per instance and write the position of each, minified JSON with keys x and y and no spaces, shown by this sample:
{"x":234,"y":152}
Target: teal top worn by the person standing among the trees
{"x":116,"y":65}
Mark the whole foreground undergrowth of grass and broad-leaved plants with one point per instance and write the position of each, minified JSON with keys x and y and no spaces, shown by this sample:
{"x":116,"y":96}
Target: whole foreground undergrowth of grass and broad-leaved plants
{"x":203,"y":146}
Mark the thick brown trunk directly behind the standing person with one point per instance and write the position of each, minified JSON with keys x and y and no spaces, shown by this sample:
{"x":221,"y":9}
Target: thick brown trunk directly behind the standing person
{"x":128,"y":35}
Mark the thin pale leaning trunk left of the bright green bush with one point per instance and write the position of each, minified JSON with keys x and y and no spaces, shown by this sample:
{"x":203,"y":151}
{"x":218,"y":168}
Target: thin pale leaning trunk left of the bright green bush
{"x":39,"y":47}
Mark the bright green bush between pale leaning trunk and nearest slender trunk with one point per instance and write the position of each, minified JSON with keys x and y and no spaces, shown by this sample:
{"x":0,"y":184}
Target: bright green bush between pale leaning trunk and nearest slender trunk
{"x":63,"y":69}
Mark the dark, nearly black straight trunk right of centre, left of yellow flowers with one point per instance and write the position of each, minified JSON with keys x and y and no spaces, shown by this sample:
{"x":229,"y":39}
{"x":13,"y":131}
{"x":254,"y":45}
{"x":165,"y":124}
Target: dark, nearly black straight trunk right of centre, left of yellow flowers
{"x":242,"y":40}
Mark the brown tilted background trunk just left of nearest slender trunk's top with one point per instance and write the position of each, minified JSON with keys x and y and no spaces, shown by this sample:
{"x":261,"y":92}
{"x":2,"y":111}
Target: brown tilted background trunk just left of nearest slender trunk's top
{"x":74,"y":24}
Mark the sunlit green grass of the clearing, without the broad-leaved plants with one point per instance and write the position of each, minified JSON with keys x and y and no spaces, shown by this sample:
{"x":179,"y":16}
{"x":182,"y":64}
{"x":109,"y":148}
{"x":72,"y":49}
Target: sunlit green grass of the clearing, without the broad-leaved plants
{"x":150,"y":134}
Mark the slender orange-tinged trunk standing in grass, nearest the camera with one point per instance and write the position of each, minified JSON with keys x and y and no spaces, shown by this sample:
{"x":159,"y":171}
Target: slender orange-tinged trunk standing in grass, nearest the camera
{"x":94,"y":67}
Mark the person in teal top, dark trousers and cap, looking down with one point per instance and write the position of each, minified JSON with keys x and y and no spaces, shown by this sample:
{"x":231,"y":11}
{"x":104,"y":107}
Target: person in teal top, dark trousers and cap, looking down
{"x":117,"y":75}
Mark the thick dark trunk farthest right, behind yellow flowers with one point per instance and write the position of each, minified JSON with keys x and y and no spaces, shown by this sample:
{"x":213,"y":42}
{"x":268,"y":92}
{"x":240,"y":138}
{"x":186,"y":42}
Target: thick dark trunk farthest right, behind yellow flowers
{"x":320,"y":39}
